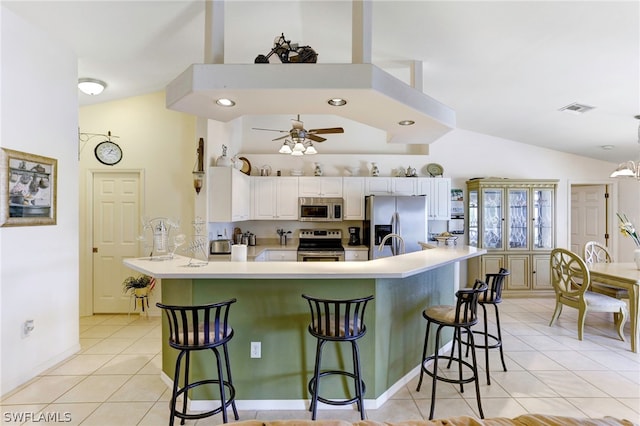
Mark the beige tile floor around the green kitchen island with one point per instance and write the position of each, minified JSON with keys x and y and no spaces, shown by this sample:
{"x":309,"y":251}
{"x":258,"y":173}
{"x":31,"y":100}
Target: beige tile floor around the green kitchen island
{"x":115,"y":379}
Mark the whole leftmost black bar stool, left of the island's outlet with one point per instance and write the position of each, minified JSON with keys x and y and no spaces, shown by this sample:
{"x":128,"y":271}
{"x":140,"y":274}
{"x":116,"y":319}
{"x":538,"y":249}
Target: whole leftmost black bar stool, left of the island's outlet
{"x":195,"y":328}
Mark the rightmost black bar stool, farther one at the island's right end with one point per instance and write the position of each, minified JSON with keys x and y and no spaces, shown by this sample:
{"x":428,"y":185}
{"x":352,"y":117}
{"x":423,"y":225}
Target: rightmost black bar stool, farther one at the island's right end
{"x":492,"y":296}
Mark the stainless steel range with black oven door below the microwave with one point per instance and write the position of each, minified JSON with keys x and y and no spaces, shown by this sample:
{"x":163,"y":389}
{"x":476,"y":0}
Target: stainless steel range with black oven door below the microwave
{"x":320,"y":245}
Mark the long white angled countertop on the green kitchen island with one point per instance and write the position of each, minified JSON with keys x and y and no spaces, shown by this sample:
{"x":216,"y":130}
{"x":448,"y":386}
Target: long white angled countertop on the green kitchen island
{"x":389,"y":267}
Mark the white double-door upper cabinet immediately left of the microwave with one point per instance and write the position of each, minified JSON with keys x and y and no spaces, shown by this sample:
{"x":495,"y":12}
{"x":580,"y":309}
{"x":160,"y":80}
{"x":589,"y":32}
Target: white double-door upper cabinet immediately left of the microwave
{"x":274,"y":198}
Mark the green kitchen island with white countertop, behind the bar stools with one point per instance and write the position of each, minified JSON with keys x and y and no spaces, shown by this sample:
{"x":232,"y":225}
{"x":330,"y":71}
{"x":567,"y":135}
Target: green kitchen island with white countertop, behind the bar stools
{"x":270,"y":310}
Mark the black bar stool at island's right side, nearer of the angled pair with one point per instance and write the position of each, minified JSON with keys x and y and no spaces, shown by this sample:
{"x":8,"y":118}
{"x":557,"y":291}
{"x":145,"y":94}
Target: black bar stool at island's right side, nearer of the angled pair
{"x":462,"y":316}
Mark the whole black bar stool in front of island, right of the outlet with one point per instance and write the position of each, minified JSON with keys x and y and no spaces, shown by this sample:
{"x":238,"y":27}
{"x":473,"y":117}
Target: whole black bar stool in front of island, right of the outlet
{"x":337,"y":321}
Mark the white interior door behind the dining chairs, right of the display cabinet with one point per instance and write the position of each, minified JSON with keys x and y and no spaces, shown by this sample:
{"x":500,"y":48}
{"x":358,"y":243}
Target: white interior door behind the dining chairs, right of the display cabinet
{"x":588,"y":216}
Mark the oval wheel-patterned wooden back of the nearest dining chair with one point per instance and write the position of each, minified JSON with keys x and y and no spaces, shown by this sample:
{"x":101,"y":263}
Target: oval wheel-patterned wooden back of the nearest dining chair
{"x":570,"y":276}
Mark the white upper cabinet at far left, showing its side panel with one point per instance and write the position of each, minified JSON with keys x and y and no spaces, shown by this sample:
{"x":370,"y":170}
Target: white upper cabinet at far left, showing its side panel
{"x":229,"y":193}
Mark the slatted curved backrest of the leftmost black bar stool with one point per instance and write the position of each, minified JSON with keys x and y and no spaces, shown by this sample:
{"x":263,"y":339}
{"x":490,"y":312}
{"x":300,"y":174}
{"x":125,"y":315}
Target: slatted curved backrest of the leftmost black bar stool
{"x":198,"y":327}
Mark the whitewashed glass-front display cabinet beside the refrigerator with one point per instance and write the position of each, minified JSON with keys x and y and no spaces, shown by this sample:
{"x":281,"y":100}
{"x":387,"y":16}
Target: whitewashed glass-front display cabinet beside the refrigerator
{"x":514,"y":221}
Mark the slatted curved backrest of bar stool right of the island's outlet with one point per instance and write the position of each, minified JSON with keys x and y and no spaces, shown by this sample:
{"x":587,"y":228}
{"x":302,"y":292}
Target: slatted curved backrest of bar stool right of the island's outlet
{"x":337,"y":319}
